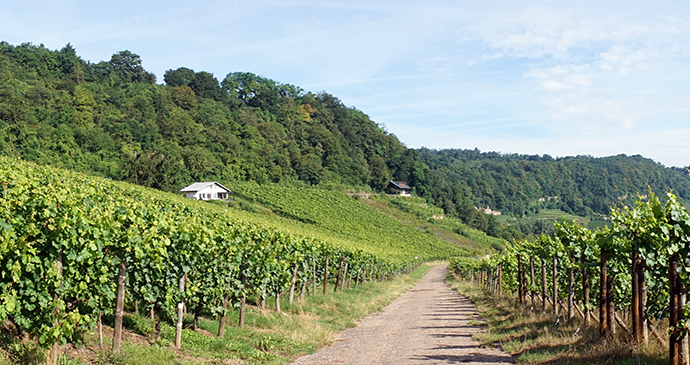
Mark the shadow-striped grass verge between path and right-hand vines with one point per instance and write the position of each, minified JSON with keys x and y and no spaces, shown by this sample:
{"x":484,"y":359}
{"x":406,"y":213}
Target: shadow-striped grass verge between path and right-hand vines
{"x":536,"y":337}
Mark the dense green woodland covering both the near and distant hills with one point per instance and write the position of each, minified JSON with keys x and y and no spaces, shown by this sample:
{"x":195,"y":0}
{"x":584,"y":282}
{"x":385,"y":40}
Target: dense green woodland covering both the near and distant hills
{"x":112,"y":119}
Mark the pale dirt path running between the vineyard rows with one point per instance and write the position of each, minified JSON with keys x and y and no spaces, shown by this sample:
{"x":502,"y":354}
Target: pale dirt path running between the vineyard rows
{"x":428,"y":324}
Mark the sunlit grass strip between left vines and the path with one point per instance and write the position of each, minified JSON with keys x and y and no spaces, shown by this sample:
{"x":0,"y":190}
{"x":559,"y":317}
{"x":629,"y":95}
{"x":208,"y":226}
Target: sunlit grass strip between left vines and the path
{"x":269,"y":337}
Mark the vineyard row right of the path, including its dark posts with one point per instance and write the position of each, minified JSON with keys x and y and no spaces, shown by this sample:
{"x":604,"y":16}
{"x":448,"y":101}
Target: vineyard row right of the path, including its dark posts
{"x":631,"y":276}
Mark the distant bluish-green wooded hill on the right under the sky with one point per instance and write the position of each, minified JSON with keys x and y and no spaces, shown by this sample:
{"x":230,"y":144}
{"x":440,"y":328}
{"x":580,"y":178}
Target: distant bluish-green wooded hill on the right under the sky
{"x":522,"y":185}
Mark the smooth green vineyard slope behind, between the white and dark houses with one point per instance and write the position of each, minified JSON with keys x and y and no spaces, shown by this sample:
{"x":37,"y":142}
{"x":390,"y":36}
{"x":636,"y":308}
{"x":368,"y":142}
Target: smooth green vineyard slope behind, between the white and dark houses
{"x":343,"y":219}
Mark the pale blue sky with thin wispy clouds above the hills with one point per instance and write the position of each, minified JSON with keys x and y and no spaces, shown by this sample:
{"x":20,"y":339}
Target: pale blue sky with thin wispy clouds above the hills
{"x":561,"y":78}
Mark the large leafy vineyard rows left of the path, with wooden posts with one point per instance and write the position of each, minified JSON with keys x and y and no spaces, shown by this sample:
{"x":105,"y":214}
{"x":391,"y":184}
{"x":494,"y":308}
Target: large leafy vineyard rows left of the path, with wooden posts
{"x":74,"y":248}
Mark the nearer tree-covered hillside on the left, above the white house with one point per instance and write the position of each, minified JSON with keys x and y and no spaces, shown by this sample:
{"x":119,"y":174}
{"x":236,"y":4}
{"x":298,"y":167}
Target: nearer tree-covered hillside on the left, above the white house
{"x":111,"y":119}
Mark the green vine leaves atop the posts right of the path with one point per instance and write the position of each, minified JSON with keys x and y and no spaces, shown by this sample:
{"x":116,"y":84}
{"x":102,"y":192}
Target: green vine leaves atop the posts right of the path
{"x":652,"y":230}
